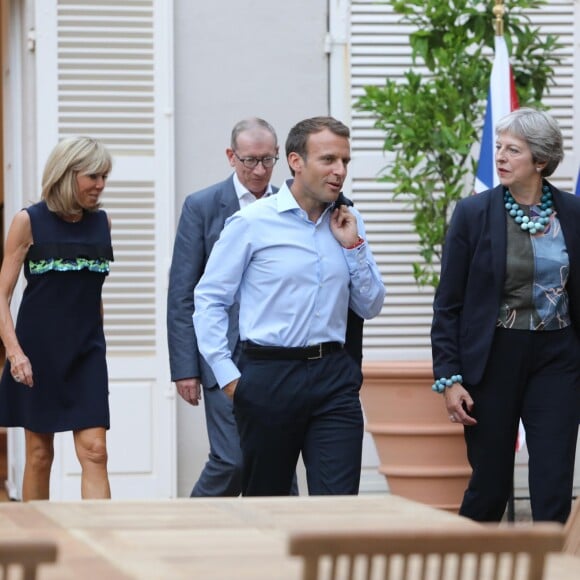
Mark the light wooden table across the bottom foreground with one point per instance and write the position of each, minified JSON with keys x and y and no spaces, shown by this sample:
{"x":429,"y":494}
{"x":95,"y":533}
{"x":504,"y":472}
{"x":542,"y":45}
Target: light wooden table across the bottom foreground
{"x":213,"y":539}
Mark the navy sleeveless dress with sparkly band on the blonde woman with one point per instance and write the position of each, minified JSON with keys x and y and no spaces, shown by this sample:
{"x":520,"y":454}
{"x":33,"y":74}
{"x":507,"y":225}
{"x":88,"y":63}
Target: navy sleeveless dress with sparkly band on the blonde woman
{"x":60,"y":327}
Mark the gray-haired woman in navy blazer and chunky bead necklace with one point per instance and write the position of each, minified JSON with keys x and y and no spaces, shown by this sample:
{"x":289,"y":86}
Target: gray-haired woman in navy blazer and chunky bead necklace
{"x":506,"y":325}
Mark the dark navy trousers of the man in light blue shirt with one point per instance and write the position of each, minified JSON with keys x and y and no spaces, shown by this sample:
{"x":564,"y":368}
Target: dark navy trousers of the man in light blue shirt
{"x":287,"y":407}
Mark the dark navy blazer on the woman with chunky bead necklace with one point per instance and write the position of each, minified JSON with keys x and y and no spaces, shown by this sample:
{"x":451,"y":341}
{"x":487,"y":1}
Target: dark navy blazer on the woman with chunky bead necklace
{"x":468,"y":297}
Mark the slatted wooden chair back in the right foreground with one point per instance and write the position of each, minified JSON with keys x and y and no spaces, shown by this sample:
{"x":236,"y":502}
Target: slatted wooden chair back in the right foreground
{"x":482,"y":552}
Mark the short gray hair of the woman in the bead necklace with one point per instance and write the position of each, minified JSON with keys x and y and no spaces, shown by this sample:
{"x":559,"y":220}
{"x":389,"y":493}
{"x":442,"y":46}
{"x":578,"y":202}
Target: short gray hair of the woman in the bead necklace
{"x":540,"y":131}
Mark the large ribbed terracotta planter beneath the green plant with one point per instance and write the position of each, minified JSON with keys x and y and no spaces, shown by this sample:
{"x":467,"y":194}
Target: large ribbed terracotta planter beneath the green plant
{"x":422,"y":454}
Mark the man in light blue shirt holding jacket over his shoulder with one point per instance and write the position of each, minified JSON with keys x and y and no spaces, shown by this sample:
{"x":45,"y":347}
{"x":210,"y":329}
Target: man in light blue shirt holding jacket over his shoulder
{"x":294,"y":262}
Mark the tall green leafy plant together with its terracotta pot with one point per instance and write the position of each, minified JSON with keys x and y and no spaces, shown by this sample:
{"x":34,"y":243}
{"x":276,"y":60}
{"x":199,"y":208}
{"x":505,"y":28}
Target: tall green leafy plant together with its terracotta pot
{"x":432,"y":122}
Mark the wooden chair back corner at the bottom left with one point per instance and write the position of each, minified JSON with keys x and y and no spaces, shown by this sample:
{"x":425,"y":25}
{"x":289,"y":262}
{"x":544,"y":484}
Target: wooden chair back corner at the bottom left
{"x":26,"y":555}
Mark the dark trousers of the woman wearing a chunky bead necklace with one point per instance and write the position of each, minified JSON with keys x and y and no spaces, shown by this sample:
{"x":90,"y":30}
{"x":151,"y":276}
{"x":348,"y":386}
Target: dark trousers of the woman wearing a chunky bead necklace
{"x":535,"y":376}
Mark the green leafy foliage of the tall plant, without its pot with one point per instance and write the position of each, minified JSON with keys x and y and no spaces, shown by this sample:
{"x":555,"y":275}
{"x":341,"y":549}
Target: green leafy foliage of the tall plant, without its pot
{"x":432,"y":118}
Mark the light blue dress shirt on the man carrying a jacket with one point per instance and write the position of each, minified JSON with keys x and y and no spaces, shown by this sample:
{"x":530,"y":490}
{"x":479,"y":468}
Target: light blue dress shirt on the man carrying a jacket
{"x":293,"y":280}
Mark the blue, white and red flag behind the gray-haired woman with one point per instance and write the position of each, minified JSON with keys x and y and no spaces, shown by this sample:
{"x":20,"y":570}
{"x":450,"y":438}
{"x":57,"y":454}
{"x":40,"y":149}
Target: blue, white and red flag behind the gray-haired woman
{"x":501,"y":100}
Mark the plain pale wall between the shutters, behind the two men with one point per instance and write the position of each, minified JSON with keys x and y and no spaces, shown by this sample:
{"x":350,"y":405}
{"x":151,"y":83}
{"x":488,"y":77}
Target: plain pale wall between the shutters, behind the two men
{"x":234,"y":60}
